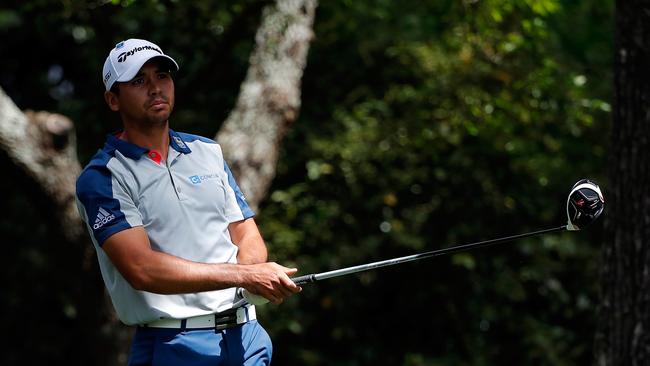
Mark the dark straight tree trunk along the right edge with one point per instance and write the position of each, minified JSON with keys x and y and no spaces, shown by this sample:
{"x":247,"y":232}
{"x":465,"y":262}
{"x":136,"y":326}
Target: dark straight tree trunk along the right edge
{"x":623,"y":336}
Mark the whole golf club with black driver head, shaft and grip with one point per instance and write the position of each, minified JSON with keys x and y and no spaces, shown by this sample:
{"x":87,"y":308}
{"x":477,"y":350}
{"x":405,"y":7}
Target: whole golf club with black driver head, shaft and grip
{"x":585,"y":204}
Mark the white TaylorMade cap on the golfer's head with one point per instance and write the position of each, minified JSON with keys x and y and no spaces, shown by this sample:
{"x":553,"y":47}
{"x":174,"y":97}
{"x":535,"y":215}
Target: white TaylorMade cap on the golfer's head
{"x":125,"y":60}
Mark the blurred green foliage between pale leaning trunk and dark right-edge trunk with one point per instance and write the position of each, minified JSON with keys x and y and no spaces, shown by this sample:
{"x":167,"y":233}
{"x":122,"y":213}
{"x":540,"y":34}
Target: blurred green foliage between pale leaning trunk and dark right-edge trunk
{"x":450,"y":122}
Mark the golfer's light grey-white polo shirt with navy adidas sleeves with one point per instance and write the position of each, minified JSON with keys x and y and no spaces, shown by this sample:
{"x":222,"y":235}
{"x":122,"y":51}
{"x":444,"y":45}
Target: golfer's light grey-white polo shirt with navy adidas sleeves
{"x":185,"y":203}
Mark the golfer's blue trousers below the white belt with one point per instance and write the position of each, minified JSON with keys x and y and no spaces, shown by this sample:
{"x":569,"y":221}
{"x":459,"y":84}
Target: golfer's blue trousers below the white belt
{"x":248,"y":344}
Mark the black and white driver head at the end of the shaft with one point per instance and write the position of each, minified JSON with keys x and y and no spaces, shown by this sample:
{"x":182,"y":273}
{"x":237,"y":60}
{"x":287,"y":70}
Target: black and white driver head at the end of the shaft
{"x":584,"y":204}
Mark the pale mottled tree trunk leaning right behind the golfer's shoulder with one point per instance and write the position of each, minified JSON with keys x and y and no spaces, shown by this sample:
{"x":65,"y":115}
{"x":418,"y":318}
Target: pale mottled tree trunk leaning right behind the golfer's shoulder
{"x":269,"y":99}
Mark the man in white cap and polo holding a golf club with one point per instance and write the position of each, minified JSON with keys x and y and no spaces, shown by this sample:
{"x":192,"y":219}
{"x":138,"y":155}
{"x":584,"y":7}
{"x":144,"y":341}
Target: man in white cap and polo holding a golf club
{"x":174,"y":236}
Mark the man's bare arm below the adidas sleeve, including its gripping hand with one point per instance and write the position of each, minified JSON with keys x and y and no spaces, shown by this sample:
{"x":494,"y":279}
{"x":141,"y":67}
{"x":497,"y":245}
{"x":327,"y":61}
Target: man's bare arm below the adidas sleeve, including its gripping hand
{"x":153,"y":271}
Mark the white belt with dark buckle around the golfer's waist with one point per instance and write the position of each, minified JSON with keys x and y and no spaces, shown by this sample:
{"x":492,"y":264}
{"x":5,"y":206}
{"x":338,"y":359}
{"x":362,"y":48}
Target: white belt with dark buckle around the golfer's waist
{"x":226,"y":319}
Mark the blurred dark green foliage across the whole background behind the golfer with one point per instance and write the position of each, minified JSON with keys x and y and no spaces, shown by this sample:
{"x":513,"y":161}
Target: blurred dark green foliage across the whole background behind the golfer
{"x":423,"y":125}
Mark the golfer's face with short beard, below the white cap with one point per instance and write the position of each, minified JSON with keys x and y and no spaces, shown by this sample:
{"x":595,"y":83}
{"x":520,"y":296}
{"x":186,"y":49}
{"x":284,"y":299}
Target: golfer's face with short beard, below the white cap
{"x":147,"y":99}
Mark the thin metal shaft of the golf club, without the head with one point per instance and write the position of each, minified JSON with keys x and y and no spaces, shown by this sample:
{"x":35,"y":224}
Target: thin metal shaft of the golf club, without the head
{"x":409,"y":258}
